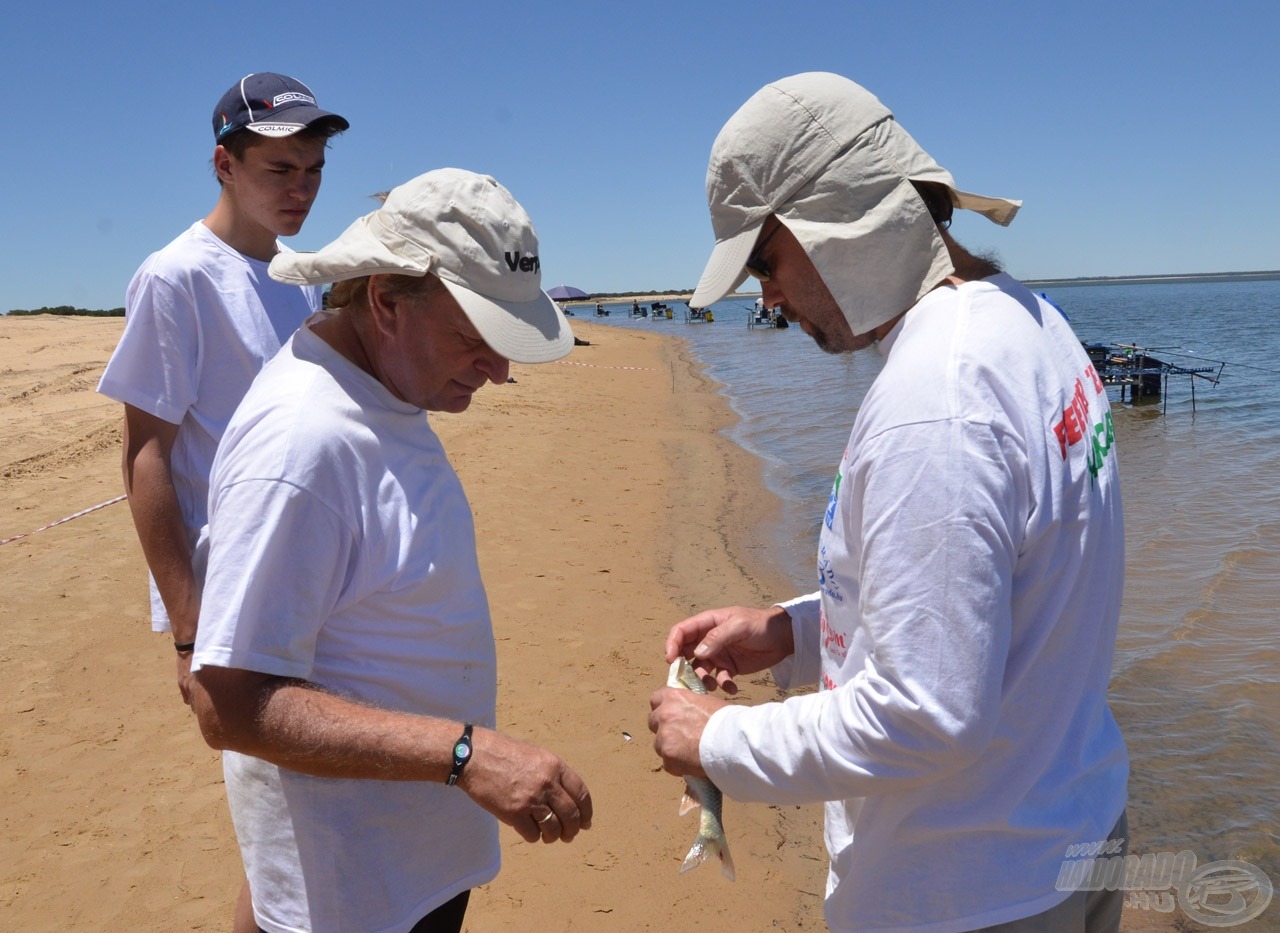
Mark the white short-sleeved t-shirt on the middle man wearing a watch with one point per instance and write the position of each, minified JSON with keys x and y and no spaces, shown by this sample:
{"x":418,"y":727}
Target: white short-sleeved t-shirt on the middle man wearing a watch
{"x":342,"y":552}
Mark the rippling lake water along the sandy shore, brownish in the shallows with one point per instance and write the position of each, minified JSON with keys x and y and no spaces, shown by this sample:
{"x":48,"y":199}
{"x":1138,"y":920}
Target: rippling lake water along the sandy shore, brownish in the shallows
{"x":1196,"y":683}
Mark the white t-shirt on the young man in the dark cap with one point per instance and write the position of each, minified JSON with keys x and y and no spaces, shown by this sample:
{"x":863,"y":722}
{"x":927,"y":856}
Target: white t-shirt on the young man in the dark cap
{"x":202,"y":319}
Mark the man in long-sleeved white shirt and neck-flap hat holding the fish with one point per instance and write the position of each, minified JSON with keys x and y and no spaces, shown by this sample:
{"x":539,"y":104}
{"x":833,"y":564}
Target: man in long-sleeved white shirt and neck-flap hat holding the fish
{"x":971,"y":559}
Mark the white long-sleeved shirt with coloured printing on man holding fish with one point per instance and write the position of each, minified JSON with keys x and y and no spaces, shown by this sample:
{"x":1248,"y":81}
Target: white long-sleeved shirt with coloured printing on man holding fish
{"x":971,"y":570}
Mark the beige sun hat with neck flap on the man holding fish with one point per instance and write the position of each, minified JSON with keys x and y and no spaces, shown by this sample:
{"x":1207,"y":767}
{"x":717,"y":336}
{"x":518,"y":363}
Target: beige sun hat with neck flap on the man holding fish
{"x":828,"y":158}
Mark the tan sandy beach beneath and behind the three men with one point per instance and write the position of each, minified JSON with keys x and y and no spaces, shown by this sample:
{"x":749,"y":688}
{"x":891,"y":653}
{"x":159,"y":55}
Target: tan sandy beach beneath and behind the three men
{"x":609,"y":506}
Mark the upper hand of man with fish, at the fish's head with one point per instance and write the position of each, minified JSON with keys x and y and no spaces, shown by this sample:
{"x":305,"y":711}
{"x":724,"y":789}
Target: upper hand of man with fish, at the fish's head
{"x":732,"y":642}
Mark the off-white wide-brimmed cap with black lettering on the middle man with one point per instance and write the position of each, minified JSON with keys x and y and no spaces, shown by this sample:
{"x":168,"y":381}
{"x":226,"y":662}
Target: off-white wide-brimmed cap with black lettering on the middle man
{"x":468,"y":231}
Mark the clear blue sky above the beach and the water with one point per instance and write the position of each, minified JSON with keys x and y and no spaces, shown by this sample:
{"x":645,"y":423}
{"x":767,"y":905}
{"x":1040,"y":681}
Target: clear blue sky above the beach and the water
{"x":1144,"y":138}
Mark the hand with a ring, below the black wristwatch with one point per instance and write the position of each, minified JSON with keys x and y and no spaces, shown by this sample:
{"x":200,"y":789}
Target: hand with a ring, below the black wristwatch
{"x":527,"y":788}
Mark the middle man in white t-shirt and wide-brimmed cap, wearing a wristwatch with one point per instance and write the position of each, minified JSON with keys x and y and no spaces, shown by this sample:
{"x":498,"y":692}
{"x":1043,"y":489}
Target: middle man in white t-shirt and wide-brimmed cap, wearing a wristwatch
{"x":346,"y":660}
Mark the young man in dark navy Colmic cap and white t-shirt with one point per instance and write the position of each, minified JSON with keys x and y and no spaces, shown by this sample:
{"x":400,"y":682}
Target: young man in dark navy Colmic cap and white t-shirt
{"x":202,"y":319}
